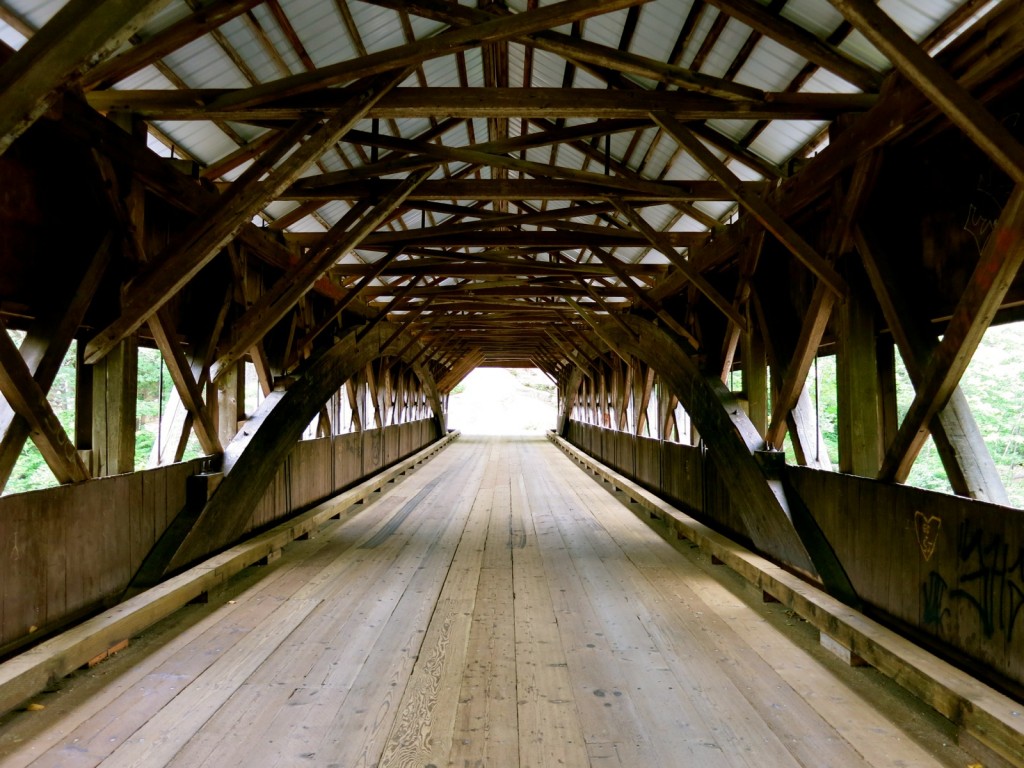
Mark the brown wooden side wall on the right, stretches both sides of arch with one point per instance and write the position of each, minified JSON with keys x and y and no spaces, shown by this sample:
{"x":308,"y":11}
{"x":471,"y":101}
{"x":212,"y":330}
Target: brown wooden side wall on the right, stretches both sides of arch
{"x":946,"y":571}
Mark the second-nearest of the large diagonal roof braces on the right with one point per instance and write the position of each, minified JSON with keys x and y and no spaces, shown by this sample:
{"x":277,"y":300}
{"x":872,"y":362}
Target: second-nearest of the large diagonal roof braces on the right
{"x":755,"y":204}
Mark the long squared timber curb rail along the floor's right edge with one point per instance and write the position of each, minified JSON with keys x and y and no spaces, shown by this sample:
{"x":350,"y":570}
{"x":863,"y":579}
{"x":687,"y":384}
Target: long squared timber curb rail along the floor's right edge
{"x":991,"y":718}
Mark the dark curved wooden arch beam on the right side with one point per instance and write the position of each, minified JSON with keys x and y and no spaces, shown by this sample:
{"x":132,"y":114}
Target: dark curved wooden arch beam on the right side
{"x":779,"y":523}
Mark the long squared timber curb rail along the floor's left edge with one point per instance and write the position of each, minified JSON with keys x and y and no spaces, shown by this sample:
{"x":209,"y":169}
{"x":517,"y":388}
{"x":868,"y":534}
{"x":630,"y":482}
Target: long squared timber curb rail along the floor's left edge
{"x":29,"y":673}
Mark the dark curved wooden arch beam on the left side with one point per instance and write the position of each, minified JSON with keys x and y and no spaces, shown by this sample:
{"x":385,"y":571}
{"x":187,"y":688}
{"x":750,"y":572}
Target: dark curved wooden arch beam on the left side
{"x":253,"y":457}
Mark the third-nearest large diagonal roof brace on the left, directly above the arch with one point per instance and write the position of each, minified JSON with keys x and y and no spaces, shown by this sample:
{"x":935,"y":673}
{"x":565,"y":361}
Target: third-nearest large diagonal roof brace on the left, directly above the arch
{"x":275,"y":304}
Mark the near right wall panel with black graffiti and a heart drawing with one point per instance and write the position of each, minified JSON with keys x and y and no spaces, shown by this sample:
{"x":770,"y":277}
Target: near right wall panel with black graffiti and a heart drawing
{"x":949,"y":569}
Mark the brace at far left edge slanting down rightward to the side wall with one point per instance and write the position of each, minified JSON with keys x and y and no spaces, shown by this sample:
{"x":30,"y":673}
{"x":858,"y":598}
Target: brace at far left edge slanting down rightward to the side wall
{"x":29,"y":401}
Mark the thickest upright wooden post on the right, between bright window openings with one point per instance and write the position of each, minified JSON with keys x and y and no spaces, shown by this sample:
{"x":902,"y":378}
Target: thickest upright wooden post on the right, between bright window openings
{"x":858,"y":379}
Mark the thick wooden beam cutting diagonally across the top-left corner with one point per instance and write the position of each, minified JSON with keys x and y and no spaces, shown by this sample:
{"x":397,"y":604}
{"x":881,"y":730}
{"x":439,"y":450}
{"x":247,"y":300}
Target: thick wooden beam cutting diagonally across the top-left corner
{"x":78,"y":36}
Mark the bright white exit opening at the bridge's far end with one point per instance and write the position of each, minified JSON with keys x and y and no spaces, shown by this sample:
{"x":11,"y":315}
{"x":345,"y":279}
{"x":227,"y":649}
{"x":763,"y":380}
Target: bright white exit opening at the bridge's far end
{"x":503,"y":401}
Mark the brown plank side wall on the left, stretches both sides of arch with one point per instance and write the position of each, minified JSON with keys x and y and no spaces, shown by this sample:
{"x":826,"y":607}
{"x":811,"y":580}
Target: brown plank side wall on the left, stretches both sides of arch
{"x":73,"y":549}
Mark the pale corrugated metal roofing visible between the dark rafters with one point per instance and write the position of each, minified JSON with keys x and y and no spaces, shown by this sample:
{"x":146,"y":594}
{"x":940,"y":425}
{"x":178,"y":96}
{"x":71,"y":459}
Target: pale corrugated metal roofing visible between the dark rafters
{"x":325,"y":37}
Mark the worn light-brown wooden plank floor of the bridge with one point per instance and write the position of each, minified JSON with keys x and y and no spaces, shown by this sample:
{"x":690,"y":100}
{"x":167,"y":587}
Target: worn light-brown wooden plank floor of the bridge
{"x":499,"y":608}
